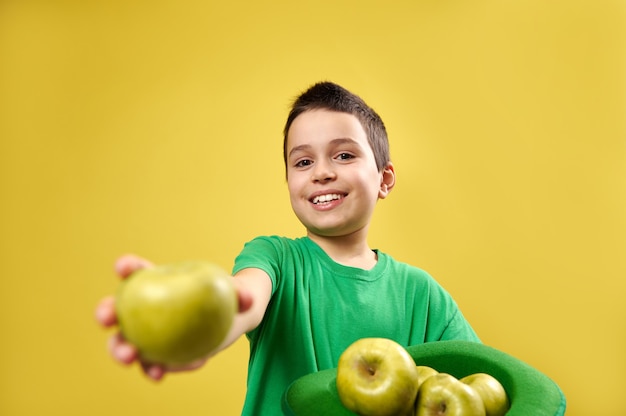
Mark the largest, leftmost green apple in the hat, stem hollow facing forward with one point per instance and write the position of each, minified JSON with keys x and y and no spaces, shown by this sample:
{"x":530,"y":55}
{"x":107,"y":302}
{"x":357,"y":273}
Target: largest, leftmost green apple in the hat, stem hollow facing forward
{"x":377,"y":377}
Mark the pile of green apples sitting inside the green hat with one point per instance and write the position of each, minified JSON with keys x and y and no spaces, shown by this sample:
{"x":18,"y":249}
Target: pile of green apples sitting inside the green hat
{"x":378,"y":377}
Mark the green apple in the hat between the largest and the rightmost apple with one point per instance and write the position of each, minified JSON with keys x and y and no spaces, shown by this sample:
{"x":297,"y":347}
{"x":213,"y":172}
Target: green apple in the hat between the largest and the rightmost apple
{"x":443,"y":394}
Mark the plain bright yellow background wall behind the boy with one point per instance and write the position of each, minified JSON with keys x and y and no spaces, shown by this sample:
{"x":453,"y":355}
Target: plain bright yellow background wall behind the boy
{"x":155,"y":127}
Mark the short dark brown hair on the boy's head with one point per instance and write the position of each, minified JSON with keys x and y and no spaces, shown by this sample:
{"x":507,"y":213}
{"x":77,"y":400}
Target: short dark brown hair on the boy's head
{"x":332,"y":97}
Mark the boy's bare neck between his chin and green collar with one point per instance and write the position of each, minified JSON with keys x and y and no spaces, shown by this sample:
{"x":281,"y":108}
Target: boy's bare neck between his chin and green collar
{"x":349,"y":250}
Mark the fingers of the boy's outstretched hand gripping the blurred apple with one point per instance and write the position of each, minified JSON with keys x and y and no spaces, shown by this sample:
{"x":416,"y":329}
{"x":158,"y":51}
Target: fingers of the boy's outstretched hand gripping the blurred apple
{"x":126,"y":353}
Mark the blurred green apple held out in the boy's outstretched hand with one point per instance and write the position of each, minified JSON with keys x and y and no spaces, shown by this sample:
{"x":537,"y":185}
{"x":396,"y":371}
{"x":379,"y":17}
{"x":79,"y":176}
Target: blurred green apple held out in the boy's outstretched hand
{"x":177,"y":313}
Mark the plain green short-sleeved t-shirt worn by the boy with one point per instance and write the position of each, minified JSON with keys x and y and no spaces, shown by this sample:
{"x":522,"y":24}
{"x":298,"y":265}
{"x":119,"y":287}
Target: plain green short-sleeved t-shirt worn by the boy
{"x":319,"y":307}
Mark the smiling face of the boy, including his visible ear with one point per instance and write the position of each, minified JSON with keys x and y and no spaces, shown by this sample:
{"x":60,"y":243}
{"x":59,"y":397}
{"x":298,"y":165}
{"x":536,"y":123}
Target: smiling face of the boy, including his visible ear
{"x":332,"y":177}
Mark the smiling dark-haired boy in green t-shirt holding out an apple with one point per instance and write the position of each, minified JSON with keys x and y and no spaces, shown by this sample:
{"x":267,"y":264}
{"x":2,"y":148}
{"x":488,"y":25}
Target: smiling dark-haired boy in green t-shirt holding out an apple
{"x":304,"y":301}
